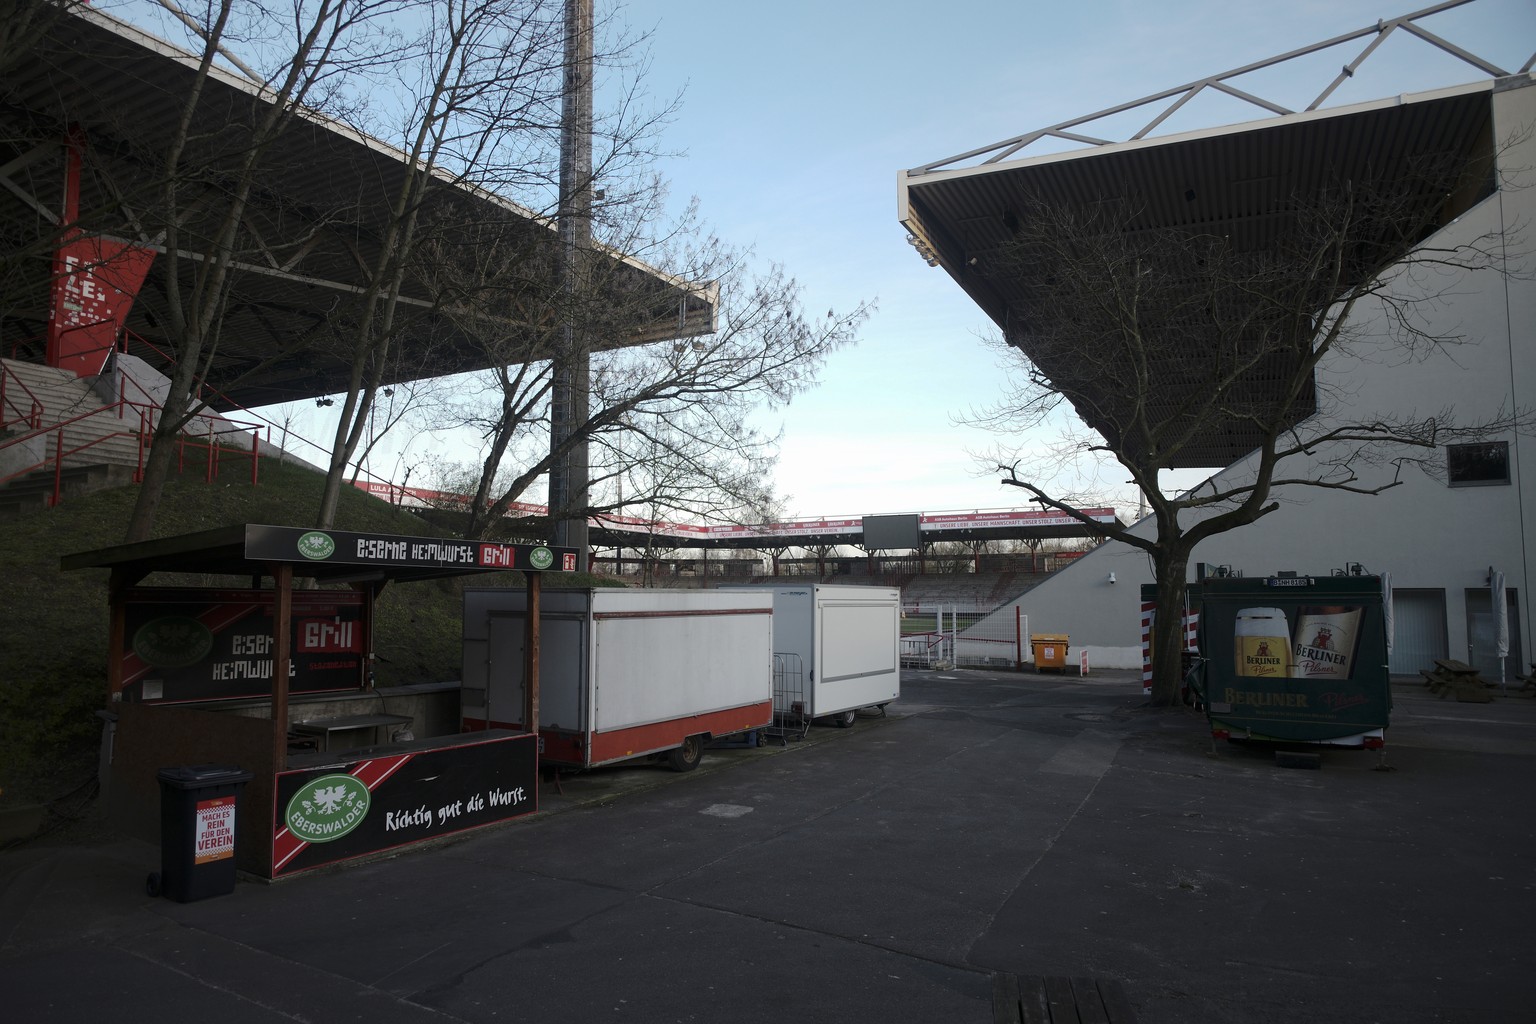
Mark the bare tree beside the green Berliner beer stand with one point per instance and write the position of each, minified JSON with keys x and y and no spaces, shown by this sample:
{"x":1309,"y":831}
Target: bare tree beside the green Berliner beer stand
{"x":1164,"y":339}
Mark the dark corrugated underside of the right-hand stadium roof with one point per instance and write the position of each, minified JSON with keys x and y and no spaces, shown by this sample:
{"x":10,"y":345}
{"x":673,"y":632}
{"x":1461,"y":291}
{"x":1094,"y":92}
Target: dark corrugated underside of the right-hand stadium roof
{"x":1243,"y":185}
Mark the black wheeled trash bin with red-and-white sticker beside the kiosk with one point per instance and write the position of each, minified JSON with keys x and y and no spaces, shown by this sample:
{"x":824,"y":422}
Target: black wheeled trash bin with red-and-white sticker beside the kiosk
{"x":197,"y":831}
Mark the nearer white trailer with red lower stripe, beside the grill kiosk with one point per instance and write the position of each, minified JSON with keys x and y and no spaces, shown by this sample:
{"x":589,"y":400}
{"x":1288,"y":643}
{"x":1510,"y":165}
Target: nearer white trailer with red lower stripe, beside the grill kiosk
{"x":623,"y":673}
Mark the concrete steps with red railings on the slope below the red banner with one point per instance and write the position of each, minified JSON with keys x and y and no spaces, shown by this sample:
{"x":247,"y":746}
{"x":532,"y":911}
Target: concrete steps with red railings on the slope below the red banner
{"x":110,"y":451}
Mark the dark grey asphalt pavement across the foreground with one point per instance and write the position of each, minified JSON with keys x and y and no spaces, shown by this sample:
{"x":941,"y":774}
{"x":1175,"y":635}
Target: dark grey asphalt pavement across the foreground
{"x":988,"y":824}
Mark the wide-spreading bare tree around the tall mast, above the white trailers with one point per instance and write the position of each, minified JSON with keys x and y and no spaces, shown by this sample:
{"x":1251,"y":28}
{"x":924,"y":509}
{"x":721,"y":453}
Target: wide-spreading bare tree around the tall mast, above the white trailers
{"x":669,"y":424}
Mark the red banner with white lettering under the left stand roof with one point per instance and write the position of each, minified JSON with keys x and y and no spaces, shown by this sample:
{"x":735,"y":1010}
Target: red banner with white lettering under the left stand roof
{"x":94,"y":289}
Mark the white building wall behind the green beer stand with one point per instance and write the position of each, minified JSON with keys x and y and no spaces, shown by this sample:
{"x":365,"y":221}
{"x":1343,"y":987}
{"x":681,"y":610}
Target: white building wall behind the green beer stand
{"x":1428,"y":535}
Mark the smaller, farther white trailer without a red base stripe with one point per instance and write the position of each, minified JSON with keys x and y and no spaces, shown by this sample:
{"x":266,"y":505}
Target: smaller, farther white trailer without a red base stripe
{"x":836,"y":650}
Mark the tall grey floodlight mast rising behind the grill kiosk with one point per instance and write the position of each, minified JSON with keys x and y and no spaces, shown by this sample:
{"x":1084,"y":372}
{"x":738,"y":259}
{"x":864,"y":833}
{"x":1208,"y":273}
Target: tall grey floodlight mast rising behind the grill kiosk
{"x":574,"y":360}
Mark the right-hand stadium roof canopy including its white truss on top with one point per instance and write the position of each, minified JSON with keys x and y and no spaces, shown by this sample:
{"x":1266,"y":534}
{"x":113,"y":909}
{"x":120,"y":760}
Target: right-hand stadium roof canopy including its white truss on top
{"x":1237,"y":182}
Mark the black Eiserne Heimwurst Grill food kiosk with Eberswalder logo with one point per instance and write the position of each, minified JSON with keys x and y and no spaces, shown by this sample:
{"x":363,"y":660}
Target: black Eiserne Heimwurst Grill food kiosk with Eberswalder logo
{"x":191,"y":682}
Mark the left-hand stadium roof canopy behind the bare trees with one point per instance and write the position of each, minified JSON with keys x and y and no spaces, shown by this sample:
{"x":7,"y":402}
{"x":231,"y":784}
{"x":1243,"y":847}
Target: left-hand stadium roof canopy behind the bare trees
{"x":314,"y":223}
